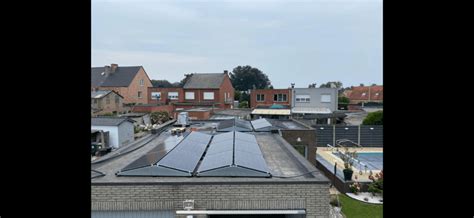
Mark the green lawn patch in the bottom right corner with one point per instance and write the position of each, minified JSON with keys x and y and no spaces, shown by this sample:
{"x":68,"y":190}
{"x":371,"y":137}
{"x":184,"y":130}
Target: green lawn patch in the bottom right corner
{"x":357,"y":209}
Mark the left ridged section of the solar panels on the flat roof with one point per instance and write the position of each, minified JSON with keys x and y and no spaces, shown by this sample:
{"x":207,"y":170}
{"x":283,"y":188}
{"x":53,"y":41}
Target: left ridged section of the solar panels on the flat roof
{"x":180,"y":161}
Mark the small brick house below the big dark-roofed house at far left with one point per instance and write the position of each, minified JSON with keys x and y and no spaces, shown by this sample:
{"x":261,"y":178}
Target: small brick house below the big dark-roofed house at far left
{"x":106,"y":101}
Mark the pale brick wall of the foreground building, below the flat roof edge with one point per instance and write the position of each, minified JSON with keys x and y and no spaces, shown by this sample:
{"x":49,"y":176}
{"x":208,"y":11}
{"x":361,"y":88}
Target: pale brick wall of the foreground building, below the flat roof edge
{"x":312,"y":197}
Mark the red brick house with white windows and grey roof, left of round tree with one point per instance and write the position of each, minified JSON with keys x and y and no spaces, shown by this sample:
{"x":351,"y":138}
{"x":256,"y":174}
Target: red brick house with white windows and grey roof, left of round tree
{"x":213,"y":90}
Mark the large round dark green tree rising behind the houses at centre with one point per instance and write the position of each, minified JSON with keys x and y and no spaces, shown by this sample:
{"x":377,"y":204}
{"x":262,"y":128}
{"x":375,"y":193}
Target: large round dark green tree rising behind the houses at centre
{"x":246,"y":77}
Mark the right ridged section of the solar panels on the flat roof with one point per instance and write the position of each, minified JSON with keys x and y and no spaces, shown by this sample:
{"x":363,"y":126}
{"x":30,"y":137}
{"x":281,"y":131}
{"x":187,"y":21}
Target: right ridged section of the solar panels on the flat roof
{"x":234,"y":154}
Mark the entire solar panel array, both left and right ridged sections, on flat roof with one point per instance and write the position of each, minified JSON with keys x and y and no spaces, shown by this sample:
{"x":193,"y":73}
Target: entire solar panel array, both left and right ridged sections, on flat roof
{"x":230,"y":154}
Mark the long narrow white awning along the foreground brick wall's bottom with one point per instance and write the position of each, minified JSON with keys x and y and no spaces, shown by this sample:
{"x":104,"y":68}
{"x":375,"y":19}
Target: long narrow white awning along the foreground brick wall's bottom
{"x":236,"y":212}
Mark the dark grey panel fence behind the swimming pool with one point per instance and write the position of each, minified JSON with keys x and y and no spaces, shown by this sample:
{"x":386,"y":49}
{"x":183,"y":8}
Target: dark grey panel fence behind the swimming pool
{"x":365,"y":135}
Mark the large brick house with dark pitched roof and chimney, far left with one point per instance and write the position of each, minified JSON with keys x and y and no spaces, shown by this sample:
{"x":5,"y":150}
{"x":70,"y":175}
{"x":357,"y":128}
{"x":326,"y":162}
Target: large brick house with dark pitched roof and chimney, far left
{"x":131,"y":82}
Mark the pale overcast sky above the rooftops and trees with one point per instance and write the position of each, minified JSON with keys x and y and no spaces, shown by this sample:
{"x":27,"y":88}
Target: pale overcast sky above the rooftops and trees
{"x":290,"y":41}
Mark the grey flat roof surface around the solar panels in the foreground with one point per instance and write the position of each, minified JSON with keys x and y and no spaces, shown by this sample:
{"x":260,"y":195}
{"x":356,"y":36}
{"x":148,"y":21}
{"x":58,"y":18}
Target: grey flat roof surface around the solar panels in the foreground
{"x":281,"y":158}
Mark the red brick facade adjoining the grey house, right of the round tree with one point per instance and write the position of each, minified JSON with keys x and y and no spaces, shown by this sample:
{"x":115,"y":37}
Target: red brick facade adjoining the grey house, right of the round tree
{"x":268,"y":97}
